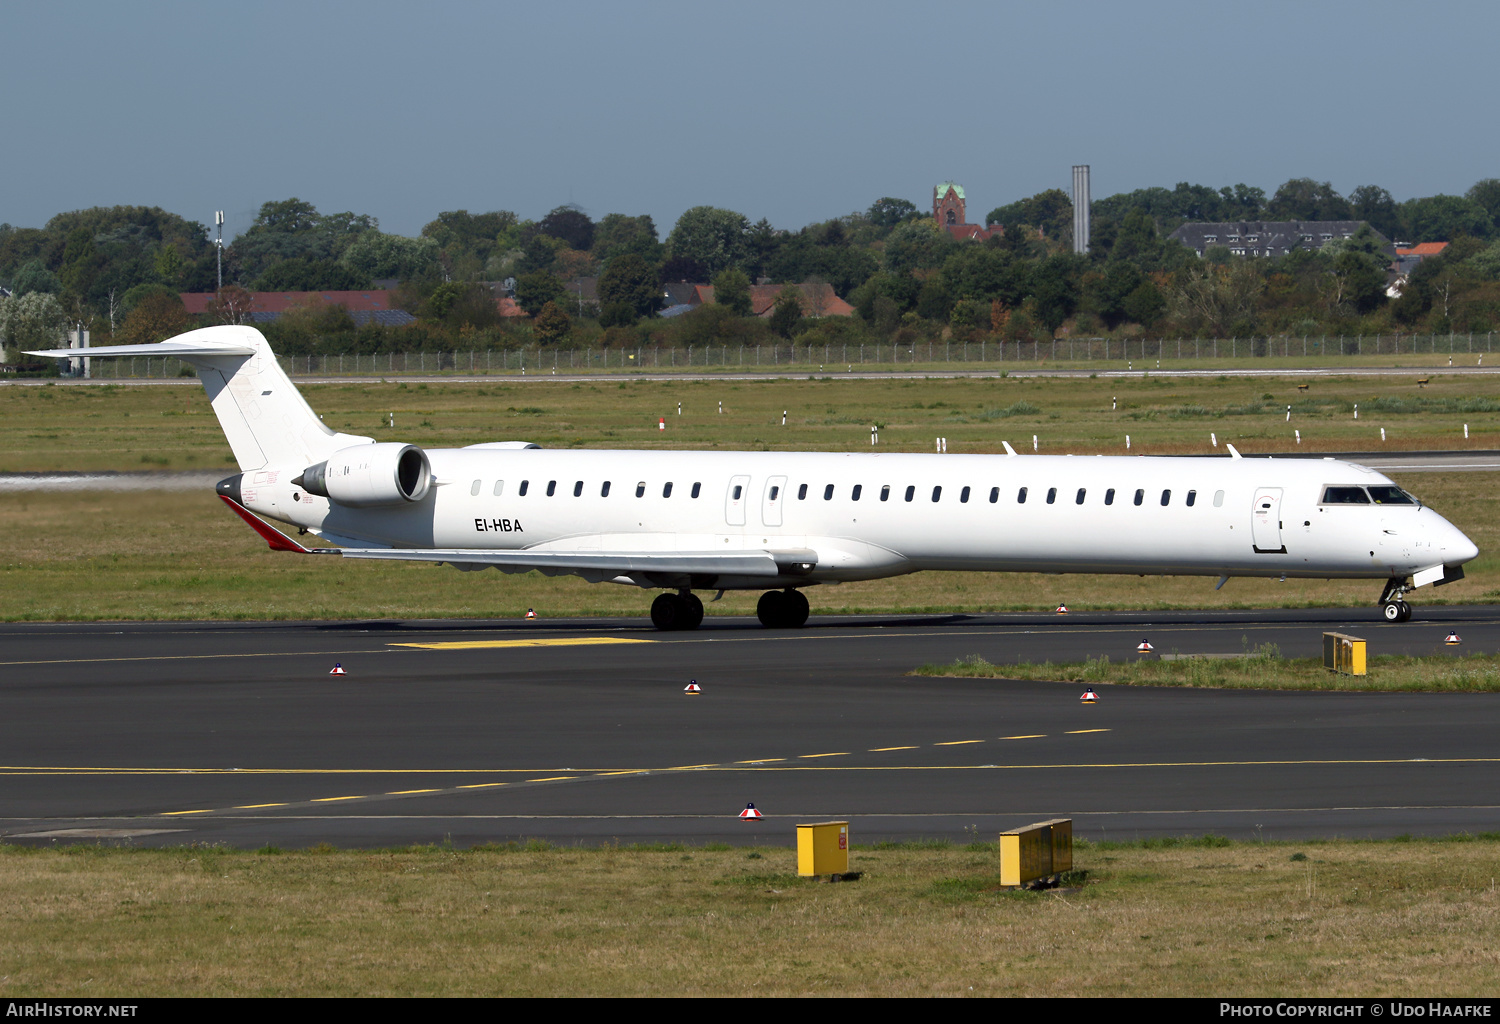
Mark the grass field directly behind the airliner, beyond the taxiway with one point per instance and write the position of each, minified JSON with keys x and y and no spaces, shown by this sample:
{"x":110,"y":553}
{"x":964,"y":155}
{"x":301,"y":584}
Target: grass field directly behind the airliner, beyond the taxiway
{"x":182,"y":555}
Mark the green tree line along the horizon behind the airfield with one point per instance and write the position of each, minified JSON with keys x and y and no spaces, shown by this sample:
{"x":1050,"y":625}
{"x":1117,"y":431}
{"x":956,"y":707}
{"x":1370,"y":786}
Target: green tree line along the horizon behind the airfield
{"x":119,"y":272}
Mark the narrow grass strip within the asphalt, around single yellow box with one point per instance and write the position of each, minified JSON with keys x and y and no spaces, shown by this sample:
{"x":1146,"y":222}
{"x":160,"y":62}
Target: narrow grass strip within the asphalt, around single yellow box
{"x":1258,"y":669}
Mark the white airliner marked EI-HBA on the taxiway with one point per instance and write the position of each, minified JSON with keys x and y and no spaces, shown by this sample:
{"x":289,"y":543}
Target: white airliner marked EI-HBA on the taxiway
{"x":775,"y":521}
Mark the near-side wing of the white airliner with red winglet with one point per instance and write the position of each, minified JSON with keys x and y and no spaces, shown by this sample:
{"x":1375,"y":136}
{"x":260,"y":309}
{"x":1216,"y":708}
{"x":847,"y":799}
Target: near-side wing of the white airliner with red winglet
{"x":548,"y":561}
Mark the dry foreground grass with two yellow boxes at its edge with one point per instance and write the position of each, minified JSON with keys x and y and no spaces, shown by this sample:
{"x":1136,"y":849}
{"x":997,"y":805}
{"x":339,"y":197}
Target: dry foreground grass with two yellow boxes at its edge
{"x":1159,"y":918}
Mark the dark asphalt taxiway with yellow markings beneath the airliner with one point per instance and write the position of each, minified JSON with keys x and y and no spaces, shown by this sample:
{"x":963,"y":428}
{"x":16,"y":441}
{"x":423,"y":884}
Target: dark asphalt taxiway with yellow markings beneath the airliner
{"x":580,"y":732}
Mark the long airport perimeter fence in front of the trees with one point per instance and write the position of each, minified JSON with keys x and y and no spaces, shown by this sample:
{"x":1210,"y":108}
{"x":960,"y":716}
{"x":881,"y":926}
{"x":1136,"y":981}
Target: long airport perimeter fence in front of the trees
{"x":838,"y":358}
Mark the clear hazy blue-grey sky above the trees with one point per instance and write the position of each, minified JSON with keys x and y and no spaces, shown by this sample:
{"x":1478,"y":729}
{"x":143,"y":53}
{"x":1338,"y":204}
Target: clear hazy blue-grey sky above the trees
{"x":790,"y":112}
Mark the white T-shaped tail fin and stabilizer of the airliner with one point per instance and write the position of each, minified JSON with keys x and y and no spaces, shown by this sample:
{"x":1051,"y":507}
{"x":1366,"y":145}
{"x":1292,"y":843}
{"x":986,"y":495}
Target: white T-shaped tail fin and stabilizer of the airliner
{"x":263,"y":416}
